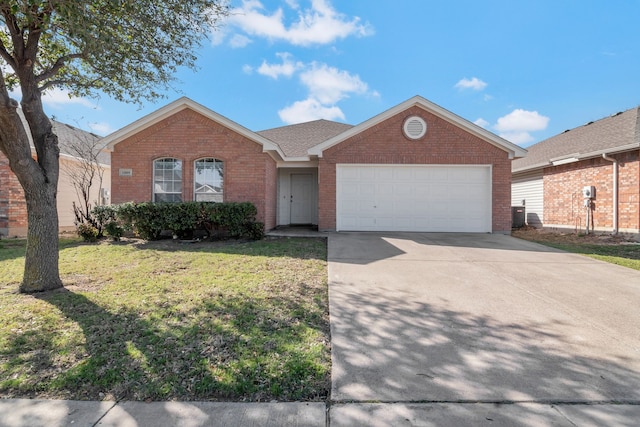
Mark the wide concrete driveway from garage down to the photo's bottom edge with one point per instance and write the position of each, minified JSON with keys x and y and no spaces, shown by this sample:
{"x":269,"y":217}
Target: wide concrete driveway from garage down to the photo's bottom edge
{"x":475,"y":329}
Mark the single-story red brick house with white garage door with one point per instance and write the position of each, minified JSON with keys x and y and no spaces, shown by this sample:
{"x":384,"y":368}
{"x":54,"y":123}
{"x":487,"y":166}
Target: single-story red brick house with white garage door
{"x":415,"y":167}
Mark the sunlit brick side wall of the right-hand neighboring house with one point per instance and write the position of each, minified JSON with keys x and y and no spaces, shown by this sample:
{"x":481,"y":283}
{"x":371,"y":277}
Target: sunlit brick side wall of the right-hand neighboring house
{"x":563,"y":201}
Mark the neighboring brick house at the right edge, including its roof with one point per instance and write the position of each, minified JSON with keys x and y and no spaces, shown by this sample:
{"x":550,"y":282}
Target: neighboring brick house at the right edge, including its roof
{"x":603,"y":154}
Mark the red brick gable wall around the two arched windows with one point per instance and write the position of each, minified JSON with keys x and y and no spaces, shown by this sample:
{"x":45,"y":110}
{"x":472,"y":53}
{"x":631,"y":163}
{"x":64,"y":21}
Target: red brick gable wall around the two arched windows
{"x":249,"y":174}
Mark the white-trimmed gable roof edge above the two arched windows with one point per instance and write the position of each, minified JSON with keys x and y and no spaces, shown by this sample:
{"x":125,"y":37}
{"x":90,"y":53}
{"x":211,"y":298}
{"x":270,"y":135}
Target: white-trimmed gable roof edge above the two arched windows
{"x":182,"y":104}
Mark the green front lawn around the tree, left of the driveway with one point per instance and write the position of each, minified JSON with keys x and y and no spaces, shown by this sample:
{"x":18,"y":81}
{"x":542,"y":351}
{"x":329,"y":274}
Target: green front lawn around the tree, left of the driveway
{"x":160,"y":321}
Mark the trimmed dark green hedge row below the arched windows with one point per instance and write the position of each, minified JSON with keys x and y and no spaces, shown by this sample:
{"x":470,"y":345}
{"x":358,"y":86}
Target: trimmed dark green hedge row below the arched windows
{"x":150,"y":220}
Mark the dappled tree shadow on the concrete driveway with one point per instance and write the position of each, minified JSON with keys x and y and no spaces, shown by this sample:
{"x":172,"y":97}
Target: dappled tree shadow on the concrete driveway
{"x":388,"y":347}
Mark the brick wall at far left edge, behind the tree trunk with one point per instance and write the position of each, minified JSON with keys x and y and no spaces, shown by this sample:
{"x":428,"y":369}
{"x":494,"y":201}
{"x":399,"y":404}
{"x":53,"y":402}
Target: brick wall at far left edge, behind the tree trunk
{"x":13,"y":208}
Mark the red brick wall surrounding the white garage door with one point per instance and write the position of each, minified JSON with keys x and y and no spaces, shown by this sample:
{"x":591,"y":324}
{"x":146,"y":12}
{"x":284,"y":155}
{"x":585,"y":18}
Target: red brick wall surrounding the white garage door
{"x":443,"y":144}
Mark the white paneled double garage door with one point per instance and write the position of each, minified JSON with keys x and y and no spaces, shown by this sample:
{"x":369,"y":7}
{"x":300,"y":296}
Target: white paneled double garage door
{"x":431,"y":198}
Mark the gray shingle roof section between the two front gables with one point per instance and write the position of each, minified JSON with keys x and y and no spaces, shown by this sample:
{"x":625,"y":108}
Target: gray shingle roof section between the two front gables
{"x":295,"y":140}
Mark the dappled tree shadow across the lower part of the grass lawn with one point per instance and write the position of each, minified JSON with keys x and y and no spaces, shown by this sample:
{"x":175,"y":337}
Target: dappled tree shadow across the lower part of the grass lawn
{"x":190,"y":355}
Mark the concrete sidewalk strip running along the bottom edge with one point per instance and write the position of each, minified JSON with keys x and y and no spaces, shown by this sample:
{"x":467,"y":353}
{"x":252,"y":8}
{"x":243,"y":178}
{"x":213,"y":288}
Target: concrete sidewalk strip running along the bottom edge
{"x":58,"y":413}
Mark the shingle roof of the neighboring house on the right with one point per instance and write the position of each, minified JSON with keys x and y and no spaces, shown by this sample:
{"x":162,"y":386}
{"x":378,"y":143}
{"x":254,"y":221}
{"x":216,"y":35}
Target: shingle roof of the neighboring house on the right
{"x":616,"y":133}
